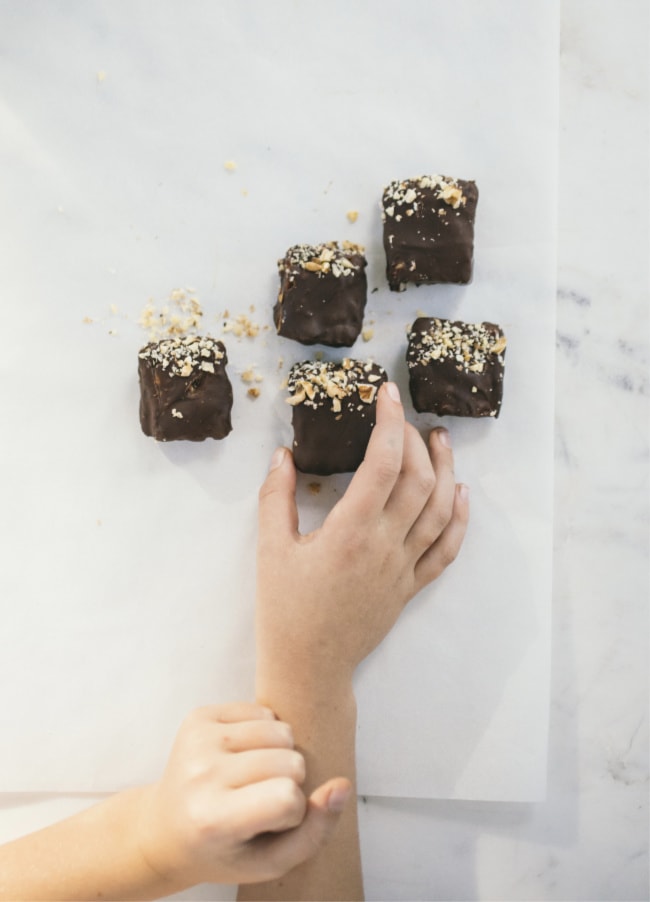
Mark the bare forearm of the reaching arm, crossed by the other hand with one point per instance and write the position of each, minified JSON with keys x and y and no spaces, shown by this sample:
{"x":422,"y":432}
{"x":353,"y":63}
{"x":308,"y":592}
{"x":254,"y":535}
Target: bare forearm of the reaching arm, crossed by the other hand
{"x":323,"y":717}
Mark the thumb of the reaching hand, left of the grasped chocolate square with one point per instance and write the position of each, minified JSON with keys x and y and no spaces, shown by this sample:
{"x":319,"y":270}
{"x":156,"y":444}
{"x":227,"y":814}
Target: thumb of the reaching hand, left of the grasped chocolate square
{"x":278,"y":514}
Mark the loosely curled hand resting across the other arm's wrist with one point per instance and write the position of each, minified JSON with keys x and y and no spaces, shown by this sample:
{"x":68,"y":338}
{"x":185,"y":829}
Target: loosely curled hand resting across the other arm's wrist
{"x":232,"y":782}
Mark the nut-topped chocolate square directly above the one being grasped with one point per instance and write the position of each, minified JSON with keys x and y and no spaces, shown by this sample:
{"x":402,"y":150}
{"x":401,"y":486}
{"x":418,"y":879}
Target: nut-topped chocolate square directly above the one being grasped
{"x":323,"y":290}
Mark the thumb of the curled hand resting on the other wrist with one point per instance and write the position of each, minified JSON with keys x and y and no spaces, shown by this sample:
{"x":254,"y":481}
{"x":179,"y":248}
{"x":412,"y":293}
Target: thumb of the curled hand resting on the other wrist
{"x":324,"y":809}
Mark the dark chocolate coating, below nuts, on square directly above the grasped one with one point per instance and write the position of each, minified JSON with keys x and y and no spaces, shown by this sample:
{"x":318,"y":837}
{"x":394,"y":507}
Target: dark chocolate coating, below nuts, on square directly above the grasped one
{"x":321,"y":307}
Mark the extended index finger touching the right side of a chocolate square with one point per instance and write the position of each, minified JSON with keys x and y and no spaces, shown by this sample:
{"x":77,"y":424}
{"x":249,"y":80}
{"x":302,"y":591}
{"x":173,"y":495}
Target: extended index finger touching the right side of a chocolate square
{"x":375,"y":479}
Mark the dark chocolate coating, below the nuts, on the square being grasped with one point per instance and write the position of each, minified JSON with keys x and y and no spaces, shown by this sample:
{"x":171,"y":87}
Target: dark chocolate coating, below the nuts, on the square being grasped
{"x":328,"y":440}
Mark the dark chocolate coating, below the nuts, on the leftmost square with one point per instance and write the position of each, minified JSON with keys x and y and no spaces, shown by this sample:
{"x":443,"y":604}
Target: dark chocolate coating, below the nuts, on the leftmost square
{"x":192,"y":408}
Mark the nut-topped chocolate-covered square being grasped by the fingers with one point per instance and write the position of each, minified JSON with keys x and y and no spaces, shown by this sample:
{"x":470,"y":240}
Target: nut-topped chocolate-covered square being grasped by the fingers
{"x":334,"y":407}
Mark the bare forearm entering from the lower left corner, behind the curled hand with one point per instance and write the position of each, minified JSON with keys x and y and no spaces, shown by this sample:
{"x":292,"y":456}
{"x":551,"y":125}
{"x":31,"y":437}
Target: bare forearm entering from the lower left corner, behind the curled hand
{"x":93,"y":854}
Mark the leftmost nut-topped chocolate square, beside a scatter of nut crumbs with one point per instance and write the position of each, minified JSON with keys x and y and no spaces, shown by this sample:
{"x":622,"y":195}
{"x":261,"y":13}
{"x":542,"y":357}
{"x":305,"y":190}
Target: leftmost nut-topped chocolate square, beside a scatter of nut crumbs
{"x":185,"y":393}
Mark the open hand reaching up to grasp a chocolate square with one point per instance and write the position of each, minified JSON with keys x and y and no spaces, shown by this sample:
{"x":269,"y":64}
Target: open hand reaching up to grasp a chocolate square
{"x":325,"y":600}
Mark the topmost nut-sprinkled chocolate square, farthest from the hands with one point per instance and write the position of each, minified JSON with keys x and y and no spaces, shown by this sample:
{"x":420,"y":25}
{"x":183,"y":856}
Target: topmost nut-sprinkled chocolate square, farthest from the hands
{"x":429,"y":230}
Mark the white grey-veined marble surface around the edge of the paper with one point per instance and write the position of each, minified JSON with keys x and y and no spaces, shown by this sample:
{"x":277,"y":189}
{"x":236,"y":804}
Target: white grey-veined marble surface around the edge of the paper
{"x":589,"y":840}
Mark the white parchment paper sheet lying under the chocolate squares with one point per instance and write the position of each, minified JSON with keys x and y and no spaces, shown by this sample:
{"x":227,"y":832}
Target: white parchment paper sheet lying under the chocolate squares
{"x":127,"y":566}
